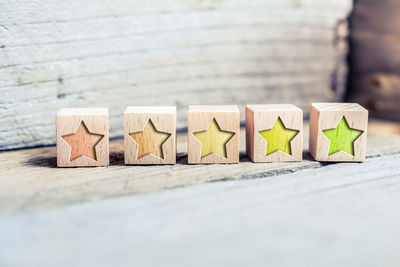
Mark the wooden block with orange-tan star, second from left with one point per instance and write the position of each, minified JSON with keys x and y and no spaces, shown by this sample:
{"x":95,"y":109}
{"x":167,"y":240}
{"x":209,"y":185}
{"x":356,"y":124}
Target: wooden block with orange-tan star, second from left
{"x":150,"y":135}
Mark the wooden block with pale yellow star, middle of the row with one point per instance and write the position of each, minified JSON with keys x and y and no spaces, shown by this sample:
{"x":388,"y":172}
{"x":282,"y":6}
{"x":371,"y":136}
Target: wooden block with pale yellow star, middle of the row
{"x":213,"y":134}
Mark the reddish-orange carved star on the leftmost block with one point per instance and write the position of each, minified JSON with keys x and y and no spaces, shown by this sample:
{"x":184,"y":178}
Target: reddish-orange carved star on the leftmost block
{"x":83,"y":142}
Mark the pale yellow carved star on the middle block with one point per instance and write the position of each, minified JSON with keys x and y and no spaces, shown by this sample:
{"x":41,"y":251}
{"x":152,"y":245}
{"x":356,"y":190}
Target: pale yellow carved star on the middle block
{"x":213,"y":140}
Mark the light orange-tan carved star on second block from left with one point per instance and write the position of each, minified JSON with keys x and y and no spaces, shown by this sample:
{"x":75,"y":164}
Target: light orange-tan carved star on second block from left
{"x":150,"y":141}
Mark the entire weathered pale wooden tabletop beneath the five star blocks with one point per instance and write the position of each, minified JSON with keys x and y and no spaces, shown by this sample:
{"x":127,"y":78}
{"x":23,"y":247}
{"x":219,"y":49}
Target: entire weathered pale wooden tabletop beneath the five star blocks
{"x":278,"y":214}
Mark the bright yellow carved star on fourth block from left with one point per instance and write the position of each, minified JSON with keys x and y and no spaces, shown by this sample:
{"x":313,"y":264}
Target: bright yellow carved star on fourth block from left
{"x":279,"y":138}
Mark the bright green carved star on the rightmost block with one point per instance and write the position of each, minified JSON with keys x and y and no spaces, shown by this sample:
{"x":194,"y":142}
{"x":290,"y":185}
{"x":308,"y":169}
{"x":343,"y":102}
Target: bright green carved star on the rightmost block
{"x":342,"y":137}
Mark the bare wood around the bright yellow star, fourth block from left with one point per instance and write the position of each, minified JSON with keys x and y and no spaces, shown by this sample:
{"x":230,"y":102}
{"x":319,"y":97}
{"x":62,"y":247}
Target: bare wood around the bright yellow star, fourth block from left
{"x":263,"y":117}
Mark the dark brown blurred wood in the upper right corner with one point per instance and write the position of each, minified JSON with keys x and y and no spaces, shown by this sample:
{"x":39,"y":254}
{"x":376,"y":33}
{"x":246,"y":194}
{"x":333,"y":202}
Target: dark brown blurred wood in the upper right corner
{"x":374,"y":60}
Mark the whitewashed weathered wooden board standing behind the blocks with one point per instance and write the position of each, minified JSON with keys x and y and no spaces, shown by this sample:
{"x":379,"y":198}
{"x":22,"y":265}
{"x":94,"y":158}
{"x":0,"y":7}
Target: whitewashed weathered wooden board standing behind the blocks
{"x":122,"y":53}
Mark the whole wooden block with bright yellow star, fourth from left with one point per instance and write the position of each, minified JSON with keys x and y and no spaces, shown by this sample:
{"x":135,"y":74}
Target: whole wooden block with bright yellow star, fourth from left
{"x":274,"y":133}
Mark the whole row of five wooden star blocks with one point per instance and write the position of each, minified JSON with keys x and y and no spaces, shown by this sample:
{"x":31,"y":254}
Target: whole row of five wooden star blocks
{"x":338,"y":132}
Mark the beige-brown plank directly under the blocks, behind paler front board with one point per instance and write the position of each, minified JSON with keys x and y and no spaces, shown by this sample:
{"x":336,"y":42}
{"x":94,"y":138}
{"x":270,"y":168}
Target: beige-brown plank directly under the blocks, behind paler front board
{"x":29,"y":179}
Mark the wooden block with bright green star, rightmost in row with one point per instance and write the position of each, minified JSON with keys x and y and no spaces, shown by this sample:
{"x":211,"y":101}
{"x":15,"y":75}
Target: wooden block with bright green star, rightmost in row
{"x":338,"y":131}
